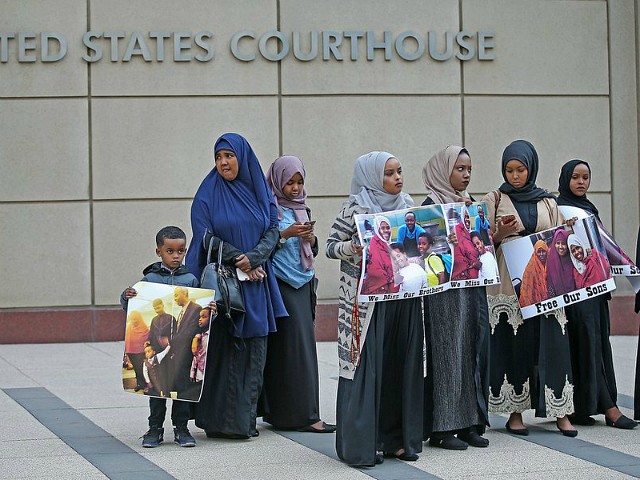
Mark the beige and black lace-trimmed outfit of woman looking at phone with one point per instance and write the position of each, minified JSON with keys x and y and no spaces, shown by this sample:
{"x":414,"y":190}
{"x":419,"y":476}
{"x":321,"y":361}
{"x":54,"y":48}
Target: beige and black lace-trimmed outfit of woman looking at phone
{"x":530,"y":365}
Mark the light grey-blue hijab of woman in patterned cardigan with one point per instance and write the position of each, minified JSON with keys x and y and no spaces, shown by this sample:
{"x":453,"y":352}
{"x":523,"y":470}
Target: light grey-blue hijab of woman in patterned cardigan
{"x":367,"y":185}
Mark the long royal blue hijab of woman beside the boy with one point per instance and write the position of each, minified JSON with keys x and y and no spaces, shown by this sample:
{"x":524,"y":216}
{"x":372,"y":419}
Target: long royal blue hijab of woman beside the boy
{"x":239,"y":212}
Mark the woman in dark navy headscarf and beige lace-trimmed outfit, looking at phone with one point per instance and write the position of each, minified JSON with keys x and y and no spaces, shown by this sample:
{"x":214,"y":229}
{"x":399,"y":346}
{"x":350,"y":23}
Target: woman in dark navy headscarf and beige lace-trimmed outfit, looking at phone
{"x":530,"y":363}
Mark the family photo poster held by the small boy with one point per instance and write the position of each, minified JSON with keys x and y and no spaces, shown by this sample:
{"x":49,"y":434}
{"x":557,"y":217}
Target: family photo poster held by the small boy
{"x":166,"y":340}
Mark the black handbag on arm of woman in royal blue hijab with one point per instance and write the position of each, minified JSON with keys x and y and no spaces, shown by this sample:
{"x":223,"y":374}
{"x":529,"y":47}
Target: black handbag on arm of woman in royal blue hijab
{"x":222,"y":279}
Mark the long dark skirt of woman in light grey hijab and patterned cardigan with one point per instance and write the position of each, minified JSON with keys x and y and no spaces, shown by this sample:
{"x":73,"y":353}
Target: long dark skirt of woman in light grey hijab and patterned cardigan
{"x":381,"y":408}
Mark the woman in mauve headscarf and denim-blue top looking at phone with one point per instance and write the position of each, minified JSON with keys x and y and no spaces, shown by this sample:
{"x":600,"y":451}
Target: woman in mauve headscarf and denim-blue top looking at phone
{"x":291,"y":395}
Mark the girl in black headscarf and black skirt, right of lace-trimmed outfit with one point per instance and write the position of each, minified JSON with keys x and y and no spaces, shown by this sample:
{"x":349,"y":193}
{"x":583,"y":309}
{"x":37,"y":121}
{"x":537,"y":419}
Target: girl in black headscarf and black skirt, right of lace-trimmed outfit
{"x":589,"y":325}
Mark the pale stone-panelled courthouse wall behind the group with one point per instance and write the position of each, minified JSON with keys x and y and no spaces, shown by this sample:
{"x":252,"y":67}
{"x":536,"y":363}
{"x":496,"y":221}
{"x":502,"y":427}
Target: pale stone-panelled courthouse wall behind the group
{"x":97,"y":156}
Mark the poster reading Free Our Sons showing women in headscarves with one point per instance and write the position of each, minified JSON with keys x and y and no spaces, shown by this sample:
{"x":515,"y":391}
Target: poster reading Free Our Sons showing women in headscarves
{"x":558,"y":267}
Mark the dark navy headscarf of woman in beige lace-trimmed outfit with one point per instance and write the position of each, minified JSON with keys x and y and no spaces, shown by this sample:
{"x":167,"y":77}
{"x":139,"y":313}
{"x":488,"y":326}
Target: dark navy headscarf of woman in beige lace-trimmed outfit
{"x":525,"y":198}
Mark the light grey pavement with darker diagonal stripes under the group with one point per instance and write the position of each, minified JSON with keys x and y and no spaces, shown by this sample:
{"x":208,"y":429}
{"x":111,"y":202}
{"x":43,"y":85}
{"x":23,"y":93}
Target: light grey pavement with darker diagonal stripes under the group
{"x":64,"y":415}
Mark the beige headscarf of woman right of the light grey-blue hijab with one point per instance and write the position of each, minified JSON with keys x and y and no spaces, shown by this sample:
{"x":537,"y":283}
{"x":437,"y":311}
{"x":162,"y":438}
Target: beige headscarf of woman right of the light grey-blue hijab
{"x":436,"y":174}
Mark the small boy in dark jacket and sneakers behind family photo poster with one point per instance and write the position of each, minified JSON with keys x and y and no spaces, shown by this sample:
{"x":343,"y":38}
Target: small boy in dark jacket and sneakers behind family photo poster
{"x":171,"y":245}
